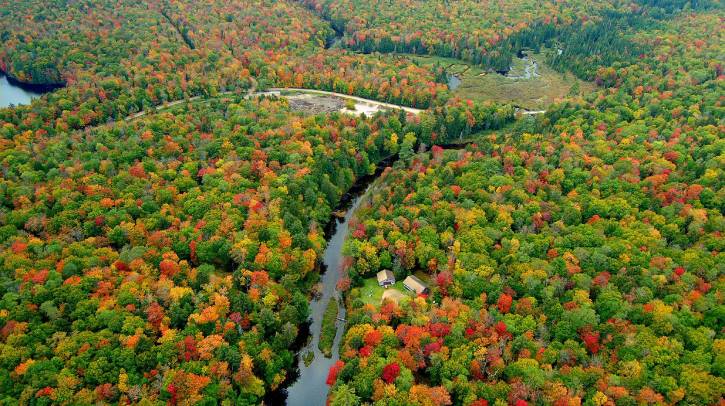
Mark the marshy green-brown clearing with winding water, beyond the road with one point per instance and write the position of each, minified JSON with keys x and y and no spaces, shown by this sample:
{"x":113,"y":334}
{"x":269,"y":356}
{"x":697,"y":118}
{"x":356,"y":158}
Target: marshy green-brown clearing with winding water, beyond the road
{"x":532,"y":94}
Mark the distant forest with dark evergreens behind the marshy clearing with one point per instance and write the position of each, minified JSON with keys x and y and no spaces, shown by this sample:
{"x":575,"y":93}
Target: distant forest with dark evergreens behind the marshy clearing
{"x":491,"y":34}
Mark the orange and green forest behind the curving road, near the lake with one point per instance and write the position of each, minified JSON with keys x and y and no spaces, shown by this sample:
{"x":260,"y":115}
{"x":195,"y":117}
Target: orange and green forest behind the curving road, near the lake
{"x":119,"y":61}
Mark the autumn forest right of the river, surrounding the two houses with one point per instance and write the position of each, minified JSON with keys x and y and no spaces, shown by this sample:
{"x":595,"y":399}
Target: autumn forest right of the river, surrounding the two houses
{"x":577,"y":258}
